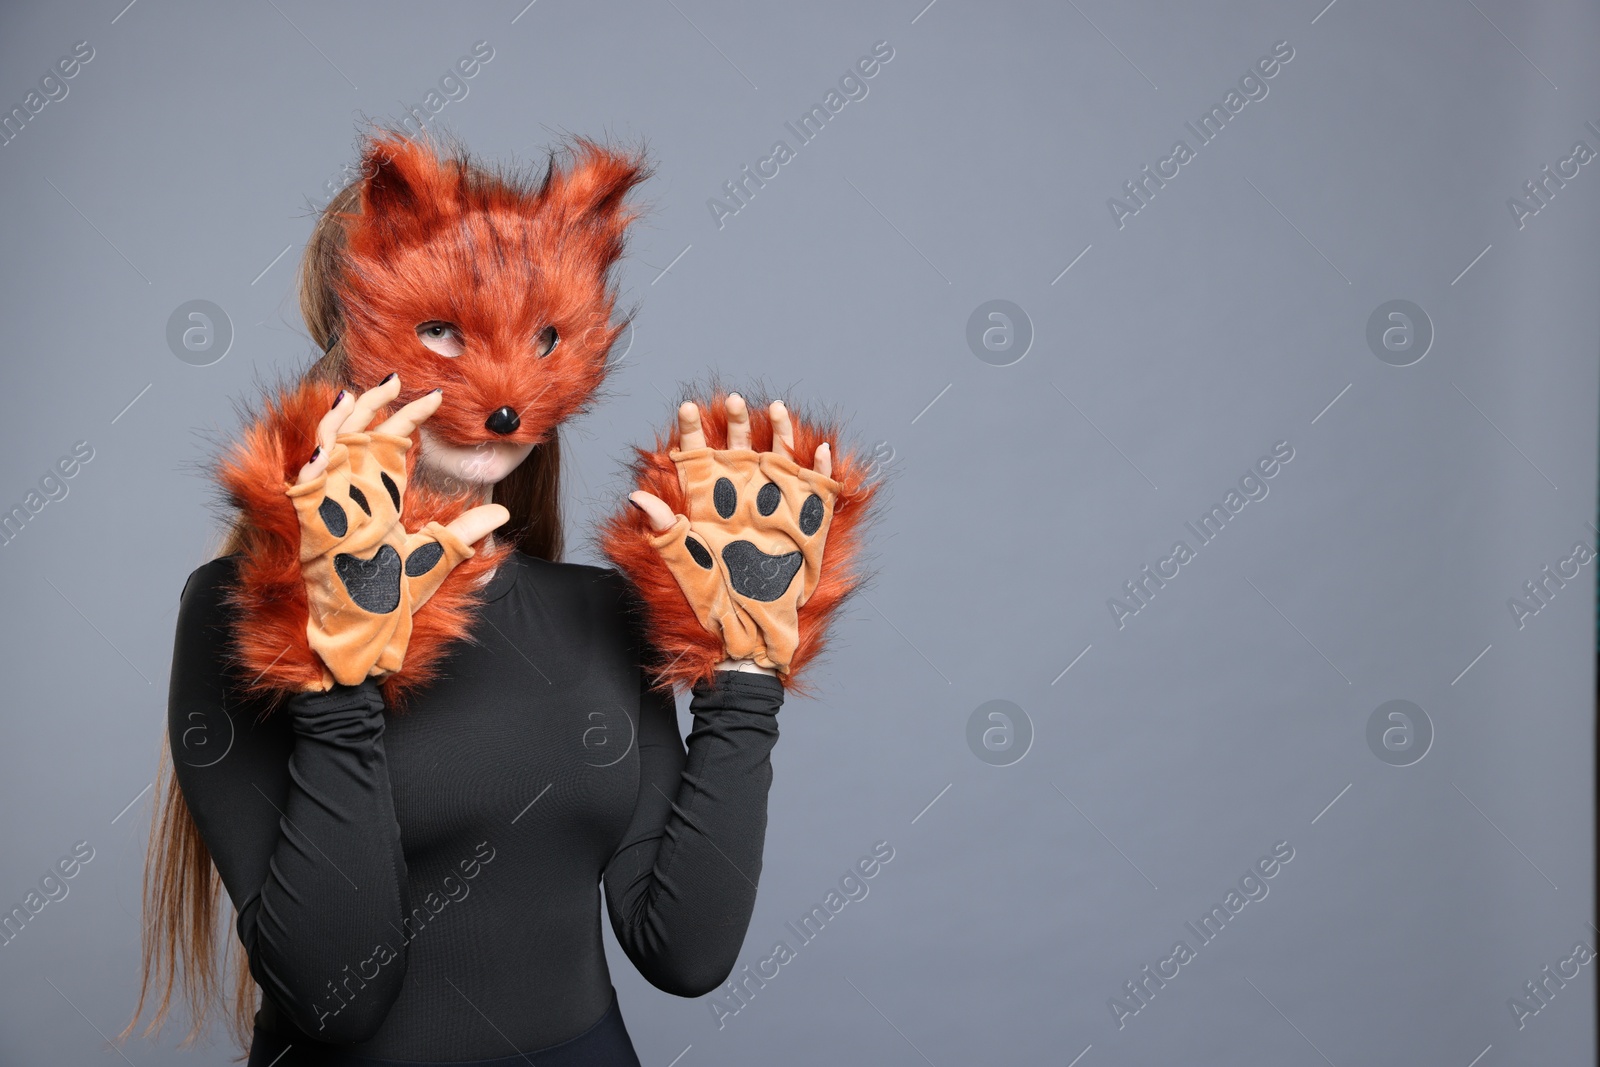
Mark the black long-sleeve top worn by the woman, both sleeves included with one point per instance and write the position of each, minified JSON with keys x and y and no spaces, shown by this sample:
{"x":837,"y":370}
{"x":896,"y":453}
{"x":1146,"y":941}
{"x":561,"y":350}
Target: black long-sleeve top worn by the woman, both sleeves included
{"x":423,"y":884}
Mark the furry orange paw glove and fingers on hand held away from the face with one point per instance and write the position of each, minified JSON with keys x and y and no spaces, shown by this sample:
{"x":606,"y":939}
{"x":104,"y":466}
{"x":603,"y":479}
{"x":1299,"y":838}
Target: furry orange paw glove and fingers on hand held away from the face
{"x":742,"y":540}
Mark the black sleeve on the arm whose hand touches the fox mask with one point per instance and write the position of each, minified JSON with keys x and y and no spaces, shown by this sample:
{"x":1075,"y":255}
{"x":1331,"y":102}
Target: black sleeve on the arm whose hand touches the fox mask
{"x":297,"y":813}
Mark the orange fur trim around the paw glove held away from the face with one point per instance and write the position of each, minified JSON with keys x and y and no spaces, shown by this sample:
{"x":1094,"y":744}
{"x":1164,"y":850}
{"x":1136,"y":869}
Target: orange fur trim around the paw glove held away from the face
{"x":687,"y":652}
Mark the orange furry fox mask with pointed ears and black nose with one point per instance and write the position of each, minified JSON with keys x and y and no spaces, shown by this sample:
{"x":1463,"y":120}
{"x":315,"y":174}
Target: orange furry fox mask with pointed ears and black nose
{"x":513,"y":276}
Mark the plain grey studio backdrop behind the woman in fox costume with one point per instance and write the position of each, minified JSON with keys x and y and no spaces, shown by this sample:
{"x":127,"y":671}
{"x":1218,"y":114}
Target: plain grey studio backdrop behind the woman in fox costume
{"x":1228,"y":316}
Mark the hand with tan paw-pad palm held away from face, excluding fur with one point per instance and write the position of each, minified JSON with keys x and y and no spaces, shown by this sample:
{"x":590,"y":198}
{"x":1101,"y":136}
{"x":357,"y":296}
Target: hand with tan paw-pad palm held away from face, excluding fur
{"x":758,"y":524}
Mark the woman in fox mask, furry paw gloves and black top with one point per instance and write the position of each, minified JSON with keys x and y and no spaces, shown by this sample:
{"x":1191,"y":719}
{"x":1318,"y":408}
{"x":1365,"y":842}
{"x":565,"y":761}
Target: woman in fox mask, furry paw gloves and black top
{"x":410,"y":741}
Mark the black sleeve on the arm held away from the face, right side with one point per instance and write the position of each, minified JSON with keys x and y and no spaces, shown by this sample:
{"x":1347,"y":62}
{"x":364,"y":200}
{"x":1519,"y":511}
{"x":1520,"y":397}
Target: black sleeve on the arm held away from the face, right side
{"x":681,"y":887}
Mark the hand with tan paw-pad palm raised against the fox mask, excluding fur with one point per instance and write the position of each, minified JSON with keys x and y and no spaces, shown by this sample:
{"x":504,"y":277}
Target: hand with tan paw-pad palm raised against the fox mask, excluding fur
{"x":366,"y":575}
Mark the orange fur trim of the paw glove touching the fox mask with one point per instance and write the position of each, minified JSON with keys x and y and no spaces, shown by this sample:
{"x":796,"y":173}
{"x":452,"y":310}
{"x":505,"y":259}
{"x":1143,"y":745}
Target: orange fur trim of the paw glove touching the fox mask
{"x":268,"y":604}
